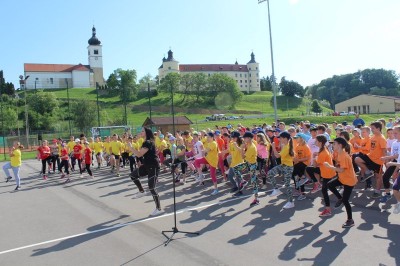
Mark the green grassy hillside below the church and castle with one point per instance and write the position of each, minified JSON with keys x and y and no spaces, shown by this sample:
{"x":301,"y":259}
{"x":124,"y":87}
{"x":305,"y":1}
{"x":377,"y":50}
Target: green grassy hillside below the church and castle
{"x":256,"y":104}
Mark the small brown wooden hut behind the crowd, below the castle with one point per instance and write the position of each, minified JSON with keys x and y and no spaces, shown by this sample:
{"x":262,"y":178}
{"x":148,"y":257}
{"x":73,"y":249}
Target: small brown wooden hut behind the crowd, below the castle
{"x":164,"y":124}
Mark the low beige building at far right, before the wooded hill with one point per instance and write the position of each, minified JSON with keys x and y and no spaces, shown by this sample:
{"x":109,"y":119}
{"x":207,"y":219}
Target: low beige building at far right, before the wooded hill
{"x":369,"y":104}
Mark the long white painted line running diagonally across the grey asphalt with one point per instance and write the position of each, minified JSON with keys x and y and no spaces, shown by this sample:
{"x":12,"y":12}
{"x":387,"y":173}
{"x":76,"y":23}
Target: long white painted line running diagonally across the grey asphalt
{"x":124,"y":224}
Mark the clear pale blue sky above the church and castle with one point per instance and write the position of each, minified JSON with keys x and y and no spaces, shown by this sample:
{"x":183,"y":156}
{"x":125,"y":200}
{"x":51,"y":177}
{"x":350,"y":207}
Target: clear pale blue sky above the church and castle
{"x":312,"y":39}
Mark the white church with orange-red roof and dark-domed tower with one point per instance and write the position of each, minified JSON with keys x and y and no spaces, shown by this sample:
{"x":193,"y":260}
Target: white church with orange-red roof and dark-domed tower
{"x":55,"y":76}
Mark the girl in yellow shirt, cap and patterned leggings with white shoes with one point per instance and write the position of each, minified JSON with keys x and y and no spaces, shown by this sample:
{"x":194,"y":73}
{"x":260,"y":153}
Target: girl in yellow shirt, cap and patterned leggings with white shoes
{"x":285,"y":168}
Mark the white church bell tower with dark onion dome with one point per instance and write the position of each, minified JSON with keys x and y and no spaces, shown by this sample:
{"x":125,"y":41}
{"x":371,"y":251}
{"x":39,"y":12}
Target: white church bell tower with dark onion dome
{"x":95,"y":55}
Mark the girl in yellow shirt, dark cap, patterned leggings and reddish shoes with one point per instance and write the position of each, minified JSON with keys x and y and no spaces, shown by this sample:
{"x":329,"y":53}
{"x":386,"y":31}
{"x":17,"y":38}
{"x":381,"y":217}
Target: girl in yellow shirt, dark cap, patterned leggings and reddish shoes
{"x":249,"y":152}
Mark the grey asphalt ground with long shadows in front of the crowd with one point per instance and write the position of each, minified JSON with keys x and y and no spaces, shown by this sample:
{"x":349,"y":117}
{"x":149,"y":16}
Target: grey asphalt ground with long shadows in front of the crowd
{"x":103,"y":221}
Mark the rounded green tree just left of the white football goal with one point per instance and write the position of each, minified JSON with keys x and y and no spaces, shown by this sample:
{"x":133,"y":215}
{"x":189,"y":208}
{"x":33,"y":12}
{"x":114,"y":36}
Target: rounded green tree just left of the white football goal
{"x":84,"y":114}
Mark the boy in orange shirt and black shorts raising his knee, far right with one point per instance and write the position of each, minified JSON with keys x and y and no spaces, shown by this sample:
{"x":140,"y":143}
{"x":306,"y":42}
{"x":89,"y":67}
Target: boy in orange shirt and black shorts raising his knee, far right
{"x":372,"y":161}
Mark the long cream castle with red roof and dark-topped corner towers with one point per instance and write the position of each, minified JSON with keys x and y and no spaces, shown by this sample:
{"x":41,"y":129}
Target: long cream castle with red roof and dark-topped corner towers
{"x":246,"y":76}
